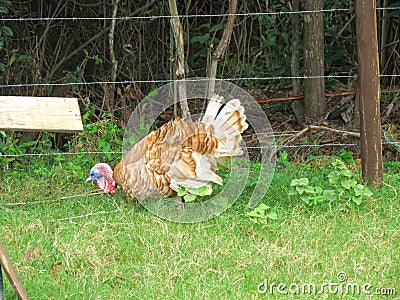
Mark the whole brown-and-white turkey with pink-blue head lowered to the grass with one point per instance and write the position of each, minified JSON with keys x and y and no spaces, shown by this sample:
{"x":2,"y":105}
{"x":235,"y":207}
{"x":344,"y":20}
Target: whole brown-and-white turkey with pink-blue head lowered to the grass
{"x":181,"y":153}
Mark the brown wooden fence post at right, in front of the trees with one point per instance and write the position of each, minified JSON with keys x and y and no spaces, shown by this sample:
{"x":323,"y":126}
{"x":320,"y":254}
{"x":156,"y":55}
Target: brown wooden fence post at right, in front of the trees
{"x":369,"y":91}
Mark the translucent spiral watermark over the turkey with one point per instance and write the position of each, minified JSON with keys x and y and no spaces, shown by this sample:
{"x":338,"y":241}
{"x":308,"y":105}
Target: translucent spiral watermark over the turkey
{"x":152,"y":106}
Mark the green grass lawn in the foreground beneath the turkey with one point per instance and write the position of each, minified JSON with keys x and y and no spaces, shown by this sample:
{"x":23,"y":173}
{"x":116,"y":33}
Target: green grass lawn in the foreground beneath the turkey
{"x":107,"y":247}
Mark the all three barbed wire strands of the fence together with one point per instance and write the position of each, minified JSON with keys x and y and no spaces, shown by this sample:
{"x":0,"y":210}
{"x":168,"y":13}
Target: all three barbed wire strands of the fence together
{"x":164,"y":81}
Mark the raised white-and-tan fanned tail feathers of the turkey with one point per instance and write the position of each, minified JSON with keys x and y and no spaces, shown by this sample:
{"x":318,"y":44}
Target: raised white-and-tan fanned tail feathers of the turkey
{"x":227,"y":121}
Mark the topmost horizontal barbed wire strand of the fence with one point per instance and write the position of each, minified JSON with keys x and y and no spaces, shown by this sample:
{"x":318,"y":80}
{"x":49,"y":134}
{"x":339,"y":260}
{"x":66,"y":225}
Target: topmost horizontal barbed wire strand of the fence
{"x":154,"y":17}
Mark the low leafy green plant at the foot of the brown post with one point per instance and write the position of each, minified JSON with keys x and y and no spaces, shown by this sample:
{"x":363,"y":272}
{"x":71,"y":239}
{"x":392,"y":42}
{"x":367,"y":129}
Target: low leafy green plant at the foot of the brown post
{"x":341,"y":187}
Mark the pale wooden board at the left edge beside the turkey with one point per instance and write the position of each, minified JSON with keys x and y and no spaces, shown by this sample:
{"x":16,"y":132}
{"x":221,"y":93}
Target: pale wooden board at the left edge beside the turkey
{"x":40,"y":114}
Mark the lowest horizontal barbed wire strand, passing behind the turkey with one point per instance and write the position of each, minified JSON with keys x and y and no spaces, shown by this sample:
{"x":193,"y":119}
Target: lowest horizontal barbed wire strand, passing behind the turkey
{"x":277,"y":147}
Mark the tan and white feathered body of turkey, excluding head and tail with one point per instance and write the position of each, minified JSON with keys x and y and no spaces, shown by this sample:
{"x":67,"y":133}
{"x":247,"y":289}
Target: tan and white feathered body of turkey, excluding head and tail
{"x":171,"y":155}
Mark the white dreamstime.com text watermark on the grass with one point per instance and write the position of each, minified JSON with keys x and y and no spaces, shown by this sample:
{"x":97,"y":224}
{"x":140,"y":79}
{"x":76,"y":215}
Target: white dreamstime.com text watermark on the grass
{"x":341,"y":287}
